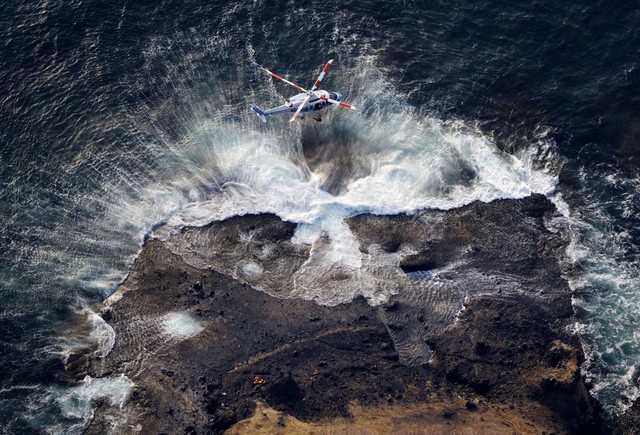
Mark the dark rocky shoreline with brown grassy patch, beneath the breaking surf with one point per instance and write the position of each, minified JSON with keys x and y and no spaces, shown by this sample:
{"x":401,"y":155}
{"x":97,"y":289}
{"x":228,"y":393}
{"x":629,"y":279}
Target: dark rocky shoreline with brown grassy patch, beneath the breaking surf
{"x":475,"y":335}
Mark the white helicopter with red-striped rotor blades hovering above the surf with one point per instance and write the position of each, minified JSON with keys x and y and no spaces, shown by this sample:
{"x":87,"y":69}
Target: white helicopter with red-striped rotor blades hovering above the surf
{"x":306,"y":101}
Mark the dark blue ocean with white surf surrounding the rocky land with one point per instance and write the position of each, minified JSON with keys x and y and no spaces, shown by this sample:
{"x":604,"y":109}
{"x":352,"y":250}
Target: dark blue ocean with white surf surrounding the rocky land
{"x":124,"y":120}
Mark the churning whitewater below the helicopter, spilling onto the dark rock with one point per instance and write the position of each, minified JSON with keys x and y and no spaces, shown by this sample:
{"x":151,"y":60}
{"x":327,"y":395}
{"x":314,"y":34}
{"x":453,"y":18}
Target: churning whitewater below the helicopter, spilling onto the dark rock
{"x":389,"y":159}
